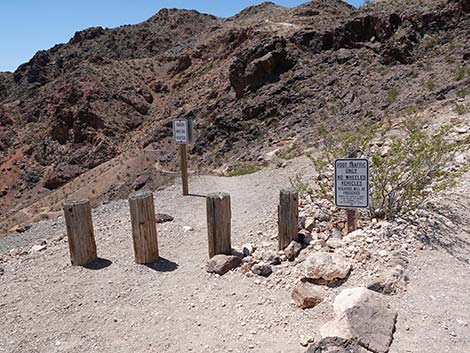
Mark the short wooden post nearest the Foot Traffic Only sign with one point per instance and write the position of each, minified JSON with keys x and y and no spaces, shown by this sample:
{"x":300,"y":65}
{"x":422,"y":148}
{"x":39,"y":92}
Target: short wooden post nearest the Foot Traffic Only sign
{"x":288,"y":217}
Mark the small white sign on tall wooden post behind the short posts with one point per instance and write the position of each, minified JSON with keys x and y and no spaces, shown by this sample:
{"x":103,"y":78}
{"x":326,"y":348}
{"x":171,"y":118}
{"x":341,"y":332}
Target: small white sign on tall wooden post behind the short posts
{"x":182,"y":135}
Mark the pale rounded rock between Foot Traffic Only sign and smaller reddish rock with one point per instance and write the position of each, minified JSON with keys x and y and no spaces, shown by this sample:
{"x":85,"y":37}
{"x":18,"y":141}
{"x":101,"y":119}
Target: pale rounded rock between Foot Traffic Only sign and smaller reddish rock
{"x":326,"y":266}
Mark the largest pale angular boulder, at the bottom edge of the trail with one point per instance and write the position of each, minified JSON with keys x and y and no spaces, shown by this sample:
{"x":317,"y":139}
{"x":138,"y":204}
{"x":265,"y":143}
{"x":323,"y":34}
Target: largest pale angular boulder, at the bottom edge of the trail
{"x":362,"y":316}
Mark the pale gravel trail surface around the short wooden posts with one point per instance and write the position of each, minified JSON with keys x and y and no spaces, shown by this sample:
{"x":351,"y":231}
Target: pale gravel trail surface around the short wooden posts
{"x":46,"y":305}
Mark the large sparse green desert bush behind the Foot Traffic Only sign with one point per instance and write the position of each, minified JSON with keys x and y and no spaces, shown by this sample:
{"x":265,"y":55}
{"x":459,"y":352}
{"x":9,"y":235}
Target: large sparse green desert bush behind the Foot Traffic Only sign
{"x":406,"y":164}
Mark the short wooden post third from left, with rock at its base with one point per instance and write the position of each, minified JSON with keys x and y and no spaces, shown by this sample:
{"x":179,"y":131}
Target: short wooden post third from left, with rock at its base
{"x":219,"y":223}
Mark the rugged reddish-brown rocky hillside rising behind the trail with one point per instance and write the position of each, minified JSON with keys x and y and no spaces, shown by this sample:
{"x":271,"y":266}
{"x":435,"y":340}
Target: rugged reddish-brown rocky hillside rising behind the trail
{"x":91,"y":116}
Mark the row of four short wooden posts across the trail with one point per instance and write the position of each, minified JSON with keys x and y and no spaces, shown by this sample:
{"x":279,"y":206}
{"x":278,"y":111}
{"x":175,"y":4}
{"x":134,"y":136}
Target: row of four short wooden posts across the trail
{"x":82,"y":243}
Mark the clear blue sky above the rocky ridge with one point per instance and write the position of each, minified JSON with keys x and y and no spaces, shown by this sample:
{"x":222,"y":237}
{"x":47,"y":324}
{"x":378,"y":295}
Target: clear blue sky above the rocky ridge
{"x":27,"y":26}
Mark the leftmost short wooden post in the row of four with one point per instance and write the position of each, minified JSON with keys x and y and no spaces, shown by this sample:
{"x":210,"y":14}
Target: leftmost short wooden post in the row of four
{"x":80,"y":232}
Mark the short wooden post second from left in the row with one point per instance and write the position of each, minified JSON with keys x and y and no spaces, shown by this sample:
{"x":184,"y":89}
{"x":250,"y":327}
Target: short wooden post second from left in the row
{"x":144,"y":229}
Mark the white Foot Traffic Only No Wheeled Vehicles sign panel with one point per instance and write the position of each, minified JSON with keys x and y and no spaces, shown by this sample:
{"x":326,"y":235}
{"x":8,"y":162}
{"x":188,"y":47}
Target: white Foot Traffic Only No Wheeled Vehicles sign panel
{"x":352,"y":183}
